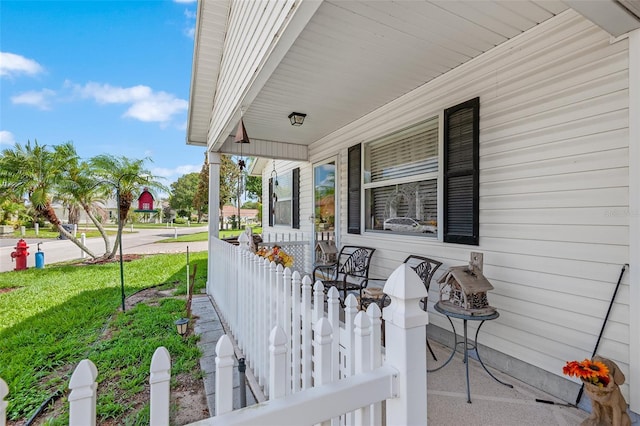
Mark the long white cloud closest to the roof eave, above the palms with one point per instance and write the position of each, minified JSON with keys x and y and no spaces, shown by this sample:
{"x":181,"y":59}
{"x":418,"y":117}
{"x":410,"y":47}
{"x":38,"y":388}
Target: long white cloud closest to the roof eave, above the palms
{"x":145,"y":104}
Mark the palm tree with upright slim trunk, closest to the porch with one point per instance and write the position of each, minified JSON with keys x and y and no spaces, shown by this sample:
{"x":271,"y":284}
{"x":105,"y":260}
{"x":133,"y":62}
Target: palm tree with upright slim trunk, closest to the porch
{"x":124,"y":178}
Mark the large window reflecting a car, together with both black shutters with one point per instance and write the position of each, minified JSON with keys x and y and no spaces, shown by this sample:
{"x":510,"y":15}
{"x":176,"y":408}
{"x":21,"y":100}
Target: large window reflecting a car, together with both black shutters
{"x":400,"y":172}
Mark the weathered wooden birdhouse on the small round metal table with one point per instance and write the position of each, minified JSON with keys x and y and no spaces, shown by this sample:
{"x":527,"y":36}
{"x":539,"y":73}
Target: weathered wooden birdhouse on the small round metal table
{"x":463,"y":289}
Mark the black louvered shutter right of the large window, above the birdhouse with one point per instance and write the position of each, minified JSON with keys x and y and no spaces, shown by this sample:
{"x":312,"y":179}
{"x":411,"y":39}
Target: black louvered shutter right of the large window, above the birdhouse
{"x":461,"y":173}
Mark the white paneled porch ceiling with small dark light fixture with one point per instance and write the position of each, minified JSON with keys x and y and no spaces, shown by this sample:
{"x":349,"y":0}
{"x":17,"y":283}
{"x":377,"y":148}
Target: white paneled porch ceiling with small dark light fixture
{"x":356,"y":56}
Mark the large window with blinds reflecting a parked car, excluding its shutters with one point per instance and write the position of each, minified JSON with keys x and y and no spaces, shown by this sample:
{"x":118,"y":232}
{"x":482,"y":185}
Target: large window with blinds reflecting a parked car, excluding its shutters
{"x":400,"y":176}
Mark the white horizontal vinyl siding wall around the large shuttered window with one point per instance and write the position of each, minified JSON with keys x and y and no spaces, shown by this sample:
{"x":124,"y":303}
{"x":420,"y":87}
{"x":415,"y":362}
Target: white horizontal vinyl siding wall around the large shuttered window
{"x":554,"y":196}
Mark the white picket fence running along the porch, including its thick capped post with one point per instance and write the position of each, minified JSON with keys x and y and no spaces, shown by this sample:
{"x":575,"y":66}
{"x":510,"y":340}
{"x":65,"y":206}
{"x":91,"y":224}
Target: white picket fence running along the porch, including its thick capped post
{"x":327,"y":369}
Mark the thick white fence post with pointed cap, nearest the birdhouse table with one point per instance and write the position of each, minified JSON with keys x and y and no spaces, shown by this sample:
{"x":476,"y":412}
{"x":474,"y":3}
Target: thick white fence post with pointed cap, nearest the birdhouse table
{"x":405,"y":334}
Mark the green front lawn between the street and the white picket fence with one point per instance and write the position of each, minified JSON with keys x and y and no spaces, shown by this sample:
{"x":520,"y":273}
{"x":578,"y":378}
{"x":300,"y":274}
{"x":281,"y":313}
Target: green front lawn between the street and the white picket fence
{"x":54,"y":317}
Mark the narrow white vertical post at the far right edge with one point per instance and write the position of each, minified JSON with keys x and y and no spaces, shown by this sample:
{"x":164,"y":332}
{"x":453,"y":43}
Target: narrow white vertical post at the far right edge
{"x":634,"y":221}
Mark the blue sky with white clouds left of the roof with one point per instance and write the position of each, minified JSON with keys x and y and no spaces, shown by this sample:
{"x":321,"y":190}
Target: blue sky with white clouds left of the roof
{"x":110,"y":76}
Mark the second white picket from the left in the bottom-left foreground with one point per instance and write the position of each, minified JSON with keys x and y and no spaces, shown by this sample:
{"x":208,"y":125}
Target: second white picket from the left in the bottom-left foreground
{"x":82,"y":399}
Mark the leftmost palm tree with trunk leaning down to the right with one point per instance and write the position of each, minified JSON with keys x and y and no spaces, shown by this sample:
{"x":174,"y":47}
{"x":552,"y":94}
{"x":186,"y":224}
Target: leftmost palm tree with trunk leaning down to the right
{"x":37,"y":171}
